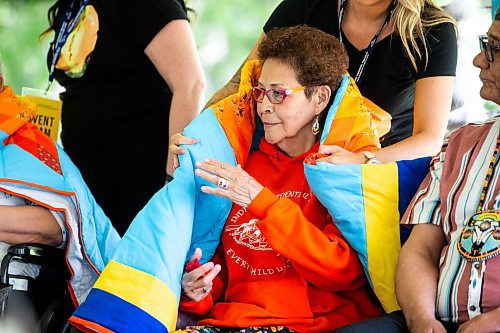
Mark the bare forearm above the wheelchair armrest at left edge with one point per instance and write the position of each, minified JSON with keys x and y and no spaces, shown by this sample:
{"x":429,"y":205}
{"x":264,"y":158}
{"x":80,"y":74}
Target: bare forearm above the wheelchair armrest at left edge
{"x":28,"y":224}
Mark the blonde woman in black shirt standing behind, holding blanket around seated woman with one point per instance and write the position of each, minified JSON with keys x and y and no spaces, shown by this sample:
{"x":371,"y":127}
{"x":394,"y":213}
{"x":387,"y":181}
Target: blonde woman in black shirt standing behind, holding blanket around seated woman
{"x":409,"y":71}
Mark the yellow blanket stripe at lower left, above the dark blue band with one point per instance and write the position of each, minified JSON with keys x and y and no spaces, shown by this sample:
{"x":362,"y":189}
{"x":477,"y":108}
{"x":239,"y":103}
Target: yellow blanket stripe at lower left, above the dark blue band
{"x":142,"y":290}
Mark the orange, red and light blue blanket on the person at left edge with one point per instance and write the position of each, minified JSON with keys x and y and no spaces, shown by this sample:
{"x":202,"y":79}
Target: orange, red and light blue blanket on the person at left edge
{"x":32,"y":166}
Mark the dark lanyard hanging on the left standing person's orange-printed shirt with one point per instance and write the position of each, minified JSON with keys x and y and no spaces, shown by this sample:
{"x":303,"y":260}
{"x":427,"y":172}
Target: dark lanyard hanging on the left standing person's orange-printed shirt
{"x":69,"y":22}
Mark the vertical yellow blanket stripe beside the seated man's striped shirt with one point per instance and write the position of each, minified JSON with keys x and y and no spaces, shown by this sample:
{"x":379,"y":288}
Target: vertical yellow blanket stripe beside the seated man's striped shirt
{"x":382,"y":228}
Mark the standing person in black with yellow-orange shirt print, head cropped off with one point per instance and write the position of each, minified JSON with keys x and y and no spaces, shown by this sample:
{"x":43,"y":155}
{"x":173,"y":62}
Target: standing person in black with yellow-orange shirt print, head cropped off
{"x":132,"y":76}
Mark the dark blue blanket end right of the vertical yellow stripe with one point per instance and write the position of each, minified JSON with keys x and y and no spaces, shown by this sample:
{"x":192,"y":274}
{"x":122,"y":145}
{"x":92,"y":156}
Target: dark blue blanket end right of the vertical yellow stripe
{"x":411,"y":174}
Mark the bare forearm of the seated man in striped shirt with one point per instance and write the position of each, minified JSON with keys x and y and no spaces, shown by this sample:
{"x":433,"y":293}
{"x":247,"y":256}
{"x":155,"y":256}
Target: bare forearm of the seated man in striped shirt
{"x":416,"y":285}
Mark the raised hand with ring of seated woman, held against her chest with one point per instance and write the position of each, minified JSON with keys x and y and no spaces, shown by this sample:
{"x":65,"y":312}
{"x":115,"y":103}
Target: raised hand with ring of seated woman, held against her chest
{"x":232,"y":182}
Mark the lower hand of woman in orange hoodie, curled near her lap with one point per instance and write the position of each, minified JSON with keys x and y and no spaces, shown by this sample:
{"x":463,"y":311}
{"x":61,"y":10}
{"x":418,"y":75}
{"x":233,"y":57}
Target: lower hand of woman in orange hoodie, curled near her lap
{"x":198,"y":283}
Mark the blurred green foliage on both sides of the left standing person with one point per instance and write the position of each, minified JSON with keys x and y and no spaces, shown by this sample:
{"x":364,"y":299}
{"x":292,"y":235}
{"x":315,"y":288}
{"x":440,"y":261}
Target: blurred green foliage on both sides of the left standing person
{"x":225,"y":32}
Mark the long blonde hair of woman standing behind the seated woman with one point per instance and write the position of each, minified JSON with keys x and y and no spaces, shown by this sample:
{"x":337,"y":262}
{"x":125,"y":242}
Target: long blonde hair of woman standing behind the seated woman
{"x":412,"y":18}
